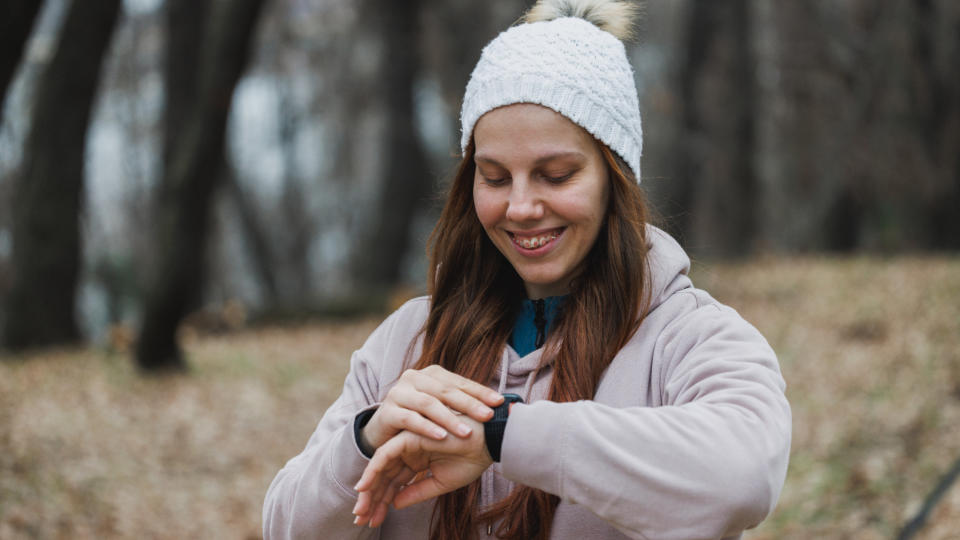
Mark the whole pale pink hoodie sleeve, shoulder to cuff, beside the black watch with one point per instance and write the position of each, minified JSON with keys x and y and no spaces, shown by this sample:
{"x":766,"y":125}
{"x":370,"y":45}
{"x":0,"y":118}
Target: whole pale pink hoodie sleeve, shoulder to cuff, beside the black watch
{"x":708,"y":463}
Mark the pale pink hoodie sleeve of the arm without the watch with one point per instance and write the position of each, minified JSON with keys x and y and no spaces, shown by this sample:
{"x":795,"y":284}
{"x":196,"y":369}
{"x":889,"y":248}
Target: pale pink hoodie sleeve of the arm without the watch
{"x":313,"y":495}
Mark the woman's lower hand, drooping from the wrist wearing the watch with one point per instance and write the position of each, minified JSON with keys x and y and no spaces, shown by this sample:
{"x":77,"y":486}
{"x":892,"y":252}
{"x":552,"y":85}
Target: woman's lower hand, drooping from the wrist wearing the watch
{"x":452,"y":463}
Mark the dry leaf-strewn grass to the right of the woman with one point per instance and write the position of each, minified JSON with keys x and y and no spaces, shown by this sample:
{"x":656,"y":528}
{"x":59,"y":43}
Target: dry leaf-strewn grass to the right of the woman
{"x":870,"y":349}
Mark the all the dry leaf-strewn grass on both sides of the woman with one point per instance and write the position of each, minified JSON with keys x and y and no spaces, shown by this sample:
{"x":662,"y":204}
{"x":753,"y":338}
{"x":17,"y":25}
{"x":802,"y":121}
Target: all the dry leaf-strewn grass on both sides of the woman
{"x":870,"y":349}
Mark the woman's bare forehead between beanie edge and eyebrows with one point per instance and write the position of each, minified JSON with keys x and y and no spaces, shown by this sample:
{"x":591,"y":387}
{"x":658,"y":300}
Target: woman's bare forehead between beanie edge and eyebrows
{"x":526,"y":129}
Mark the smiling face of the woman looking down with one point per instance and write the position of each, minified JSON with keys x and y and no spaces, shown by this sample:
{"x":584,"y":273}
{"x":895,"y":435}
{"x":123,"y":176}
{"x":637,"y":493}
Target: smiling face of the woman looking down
{"x":540,"y":191}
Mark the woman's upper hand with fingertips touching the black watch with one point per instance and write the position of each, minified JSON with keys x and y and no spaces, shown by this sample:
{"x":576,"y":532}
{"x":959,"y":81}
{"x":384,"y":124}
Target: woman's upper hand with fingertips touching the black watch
{"x":426,"y":402}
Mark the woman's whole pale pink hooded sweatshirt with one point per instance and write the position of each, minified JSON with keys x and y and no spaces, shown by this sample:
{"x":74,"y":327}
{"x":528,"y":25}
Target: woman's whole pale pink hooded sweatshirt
{"x":688,"y":435}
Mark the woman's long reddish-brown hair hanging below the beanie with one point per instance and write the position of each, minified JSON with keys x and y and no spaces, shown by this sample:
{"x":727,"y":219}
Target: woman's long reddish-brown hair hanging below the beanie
{"x":475,"y":293}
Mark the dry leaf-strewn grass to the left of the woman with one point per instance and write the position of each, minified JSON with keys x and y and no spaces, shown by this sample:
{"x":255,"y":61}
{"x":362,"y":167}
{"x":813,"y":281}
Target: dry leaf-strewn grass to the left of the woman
{"x":88,"y":449}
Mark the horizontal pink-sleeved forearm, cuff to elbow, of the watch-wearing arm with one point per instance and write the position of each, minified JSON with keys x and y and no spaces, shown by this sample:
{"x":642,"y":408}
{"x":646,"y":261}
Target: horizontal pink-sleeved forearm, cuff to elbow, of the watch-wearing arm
{"x":693,"y":471}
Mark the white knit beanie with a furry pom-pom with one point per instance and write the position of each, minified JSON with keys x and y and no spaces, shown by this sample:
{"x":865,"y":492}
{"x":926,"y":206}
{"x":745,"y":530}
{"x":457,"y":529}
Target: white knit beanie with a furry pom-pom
{"x":567,"y":64}
